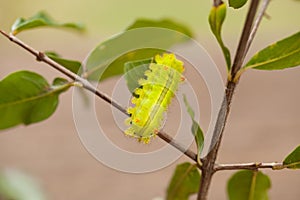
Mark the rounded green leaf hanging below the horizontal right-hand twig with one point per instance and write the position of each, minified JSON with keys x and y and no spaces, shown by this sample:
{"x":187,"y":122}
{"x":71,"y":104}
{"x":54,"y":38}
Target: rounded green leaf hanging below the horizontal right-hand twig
{"x":248,"y":185}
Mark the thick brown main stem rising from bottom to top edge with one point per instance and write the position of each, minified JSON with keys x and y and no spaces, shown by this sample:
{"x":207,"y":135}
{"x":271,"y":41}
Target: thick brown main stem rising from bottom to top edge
{"x":209,"y":161}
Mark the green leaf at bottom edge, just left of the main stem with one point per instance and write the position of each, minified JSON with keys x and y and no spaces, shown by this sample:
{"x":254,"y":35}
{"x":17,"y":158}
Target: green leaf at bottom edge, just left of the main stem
{"x":185,"y":182}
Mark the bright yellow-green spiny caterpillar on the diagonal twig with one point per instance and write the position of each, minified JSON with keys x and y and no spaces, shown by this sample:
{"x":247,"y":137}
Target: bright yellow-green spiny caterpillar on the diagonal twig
{"x":152,"y":99}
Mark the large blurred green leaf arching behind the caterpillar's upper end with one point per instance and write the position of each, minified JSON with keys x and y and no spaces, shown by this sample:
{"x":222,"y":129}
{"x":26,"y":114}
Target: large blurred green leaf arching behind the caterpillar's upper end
{"x":108,"y":58}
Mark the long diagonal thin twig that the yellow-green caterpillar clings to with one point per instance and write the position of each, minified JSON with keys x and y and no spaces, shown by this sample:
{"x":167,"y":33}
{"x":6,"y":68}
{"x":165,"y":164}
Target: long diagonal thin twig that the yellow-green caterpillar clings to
{"x":87,"y":85}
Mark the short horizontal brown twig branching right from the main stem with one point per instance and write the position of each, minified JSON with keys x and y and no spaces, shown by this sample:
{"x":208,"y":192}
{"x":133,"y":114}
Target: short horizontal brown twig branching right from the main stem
{"x":250,"y":166}
